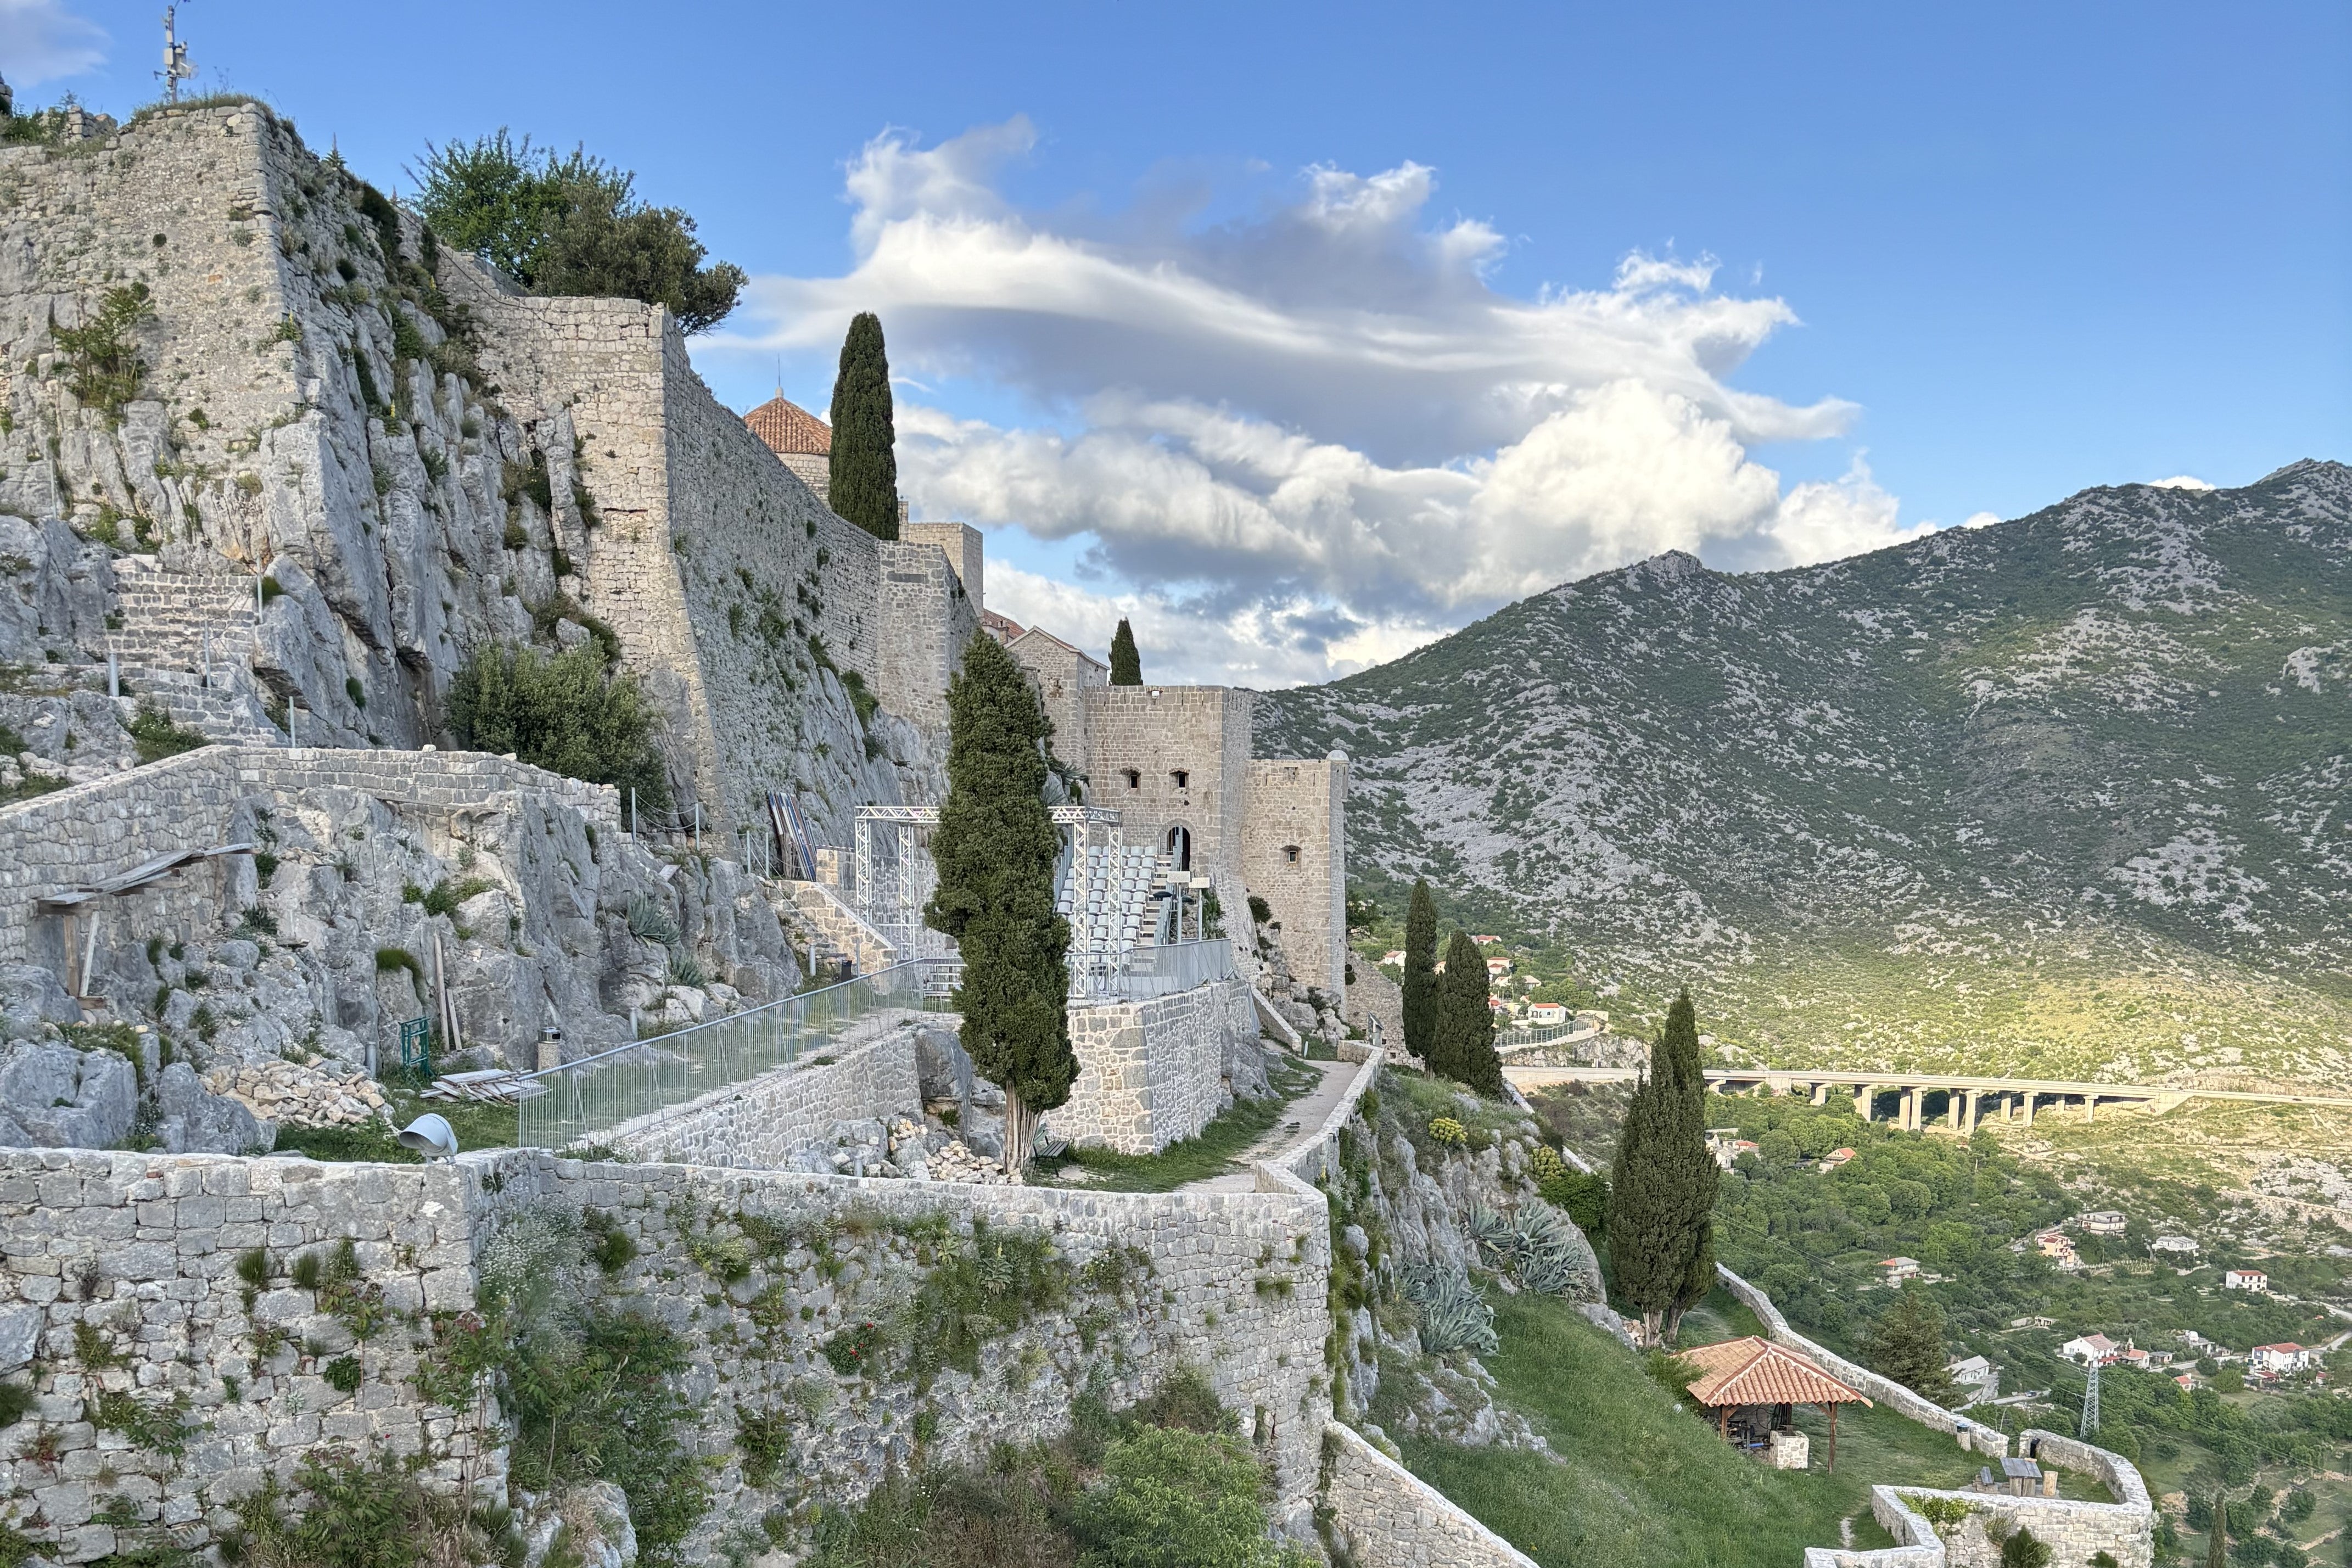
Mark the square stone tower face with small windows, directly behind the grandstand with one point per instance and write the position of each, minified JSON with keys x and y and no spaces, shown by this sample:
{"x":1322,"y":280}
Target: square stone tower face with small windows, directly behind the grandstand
{"x":1158,"y":732}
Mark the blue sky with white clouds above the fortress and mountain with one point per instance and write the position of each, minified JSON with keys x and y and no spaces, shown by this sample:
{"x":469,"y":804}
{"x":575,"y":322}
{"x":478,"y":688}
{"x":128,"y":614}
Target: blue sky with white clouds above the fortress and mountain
{"x":1963,"y":264}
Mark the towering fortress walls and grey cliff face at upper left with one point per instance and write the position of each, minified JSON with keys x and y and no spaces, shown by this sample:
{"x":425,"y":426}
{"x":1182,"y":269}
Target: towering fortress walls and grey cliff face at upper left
{"x":420,"y":467}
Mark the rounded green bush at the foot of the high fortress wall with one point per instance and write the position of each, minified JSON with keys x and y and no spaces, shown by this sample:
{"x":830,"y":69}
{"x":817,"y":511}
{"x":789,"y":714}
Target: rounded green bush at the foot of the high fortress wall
{"x":563,"y":713}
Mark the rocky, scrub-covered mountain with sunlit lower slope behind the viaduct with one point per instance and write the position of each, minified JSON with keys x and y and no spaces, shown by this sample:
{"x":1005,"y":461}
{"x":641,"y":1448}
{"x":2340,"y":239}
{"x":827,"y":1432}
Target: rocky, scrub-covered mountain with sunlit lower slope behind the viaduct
{"x":2062,"y":791}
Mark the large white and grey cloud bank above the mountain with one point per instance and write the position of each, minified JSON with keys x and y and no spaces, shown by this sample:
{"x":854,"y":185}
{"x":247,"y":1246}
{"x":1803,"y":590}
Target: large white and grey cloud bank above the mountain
{"x":1316,"y":436}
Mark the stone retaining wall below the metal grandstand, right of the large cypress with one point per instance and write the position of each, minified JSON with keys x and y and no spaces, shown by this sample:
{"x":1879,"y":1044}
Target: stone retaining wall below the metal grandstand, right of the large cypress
{"x":1151,"y":1073}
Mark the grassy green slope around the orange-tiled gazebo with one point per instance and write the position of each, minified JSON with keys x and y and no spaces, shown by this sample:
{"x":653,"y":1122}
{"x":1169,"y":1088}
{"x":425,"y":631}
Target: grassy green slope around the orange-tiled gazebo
{"x":1641,"y":1480}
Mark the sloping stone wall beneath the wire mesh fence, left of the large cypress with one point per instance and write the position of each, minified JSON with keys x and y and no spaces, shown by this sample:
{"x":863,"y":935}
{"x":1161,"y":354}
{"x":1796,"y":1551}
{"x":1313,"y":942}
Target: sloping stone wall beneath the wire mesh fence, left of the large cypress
{"x":766,"y":1123}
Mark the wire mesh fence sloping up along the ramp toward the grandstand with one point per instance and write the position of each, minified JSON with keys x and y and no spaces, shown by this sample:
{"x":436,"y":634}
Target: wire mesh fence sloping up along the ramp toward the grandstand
{"x":582,"y":1101}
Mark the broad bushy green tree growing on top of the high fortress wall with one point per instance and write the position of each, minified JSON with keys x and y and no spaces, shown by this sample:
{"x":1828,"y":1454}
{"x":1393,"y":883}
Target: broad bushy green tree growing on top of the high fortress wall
{"x":570,"y":227}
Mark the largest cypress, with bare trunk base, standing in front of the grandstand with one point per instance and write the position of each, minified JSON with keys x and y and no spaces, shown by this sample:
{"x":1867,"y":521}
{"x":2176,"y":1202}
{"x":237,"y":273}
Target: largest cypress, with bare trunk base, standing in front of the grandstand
{"x":996,"y":852}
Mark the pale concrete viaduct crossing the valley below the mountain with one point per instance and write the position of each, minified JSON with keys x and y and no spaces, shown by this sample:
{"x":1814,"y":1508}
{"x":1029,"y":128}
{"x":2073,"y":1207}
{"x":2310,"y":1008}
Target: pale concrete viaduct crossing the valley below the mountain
{"x":1967,"y":1099}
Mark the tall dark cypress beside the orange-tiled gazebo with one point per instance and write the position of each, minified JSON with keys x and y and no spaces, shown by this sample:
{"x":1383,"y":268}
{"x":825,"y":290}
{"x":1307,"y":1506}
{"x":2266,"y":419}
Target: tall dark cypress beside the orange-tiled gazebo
{"x":1662,"y":1193}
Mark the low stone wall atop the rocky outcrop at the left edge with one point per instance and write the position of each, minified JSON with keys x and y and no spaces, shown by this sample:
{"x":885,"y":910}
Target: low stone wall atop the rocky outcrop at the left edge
{"x":109,"y":826}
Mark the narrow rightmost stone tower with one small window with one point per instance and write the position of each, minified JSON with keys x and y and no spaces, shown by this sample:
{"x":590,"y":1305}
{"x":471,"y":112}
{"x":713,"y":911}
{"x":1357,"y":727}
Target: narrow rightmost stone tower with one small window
{"x":1295,"y":855}
